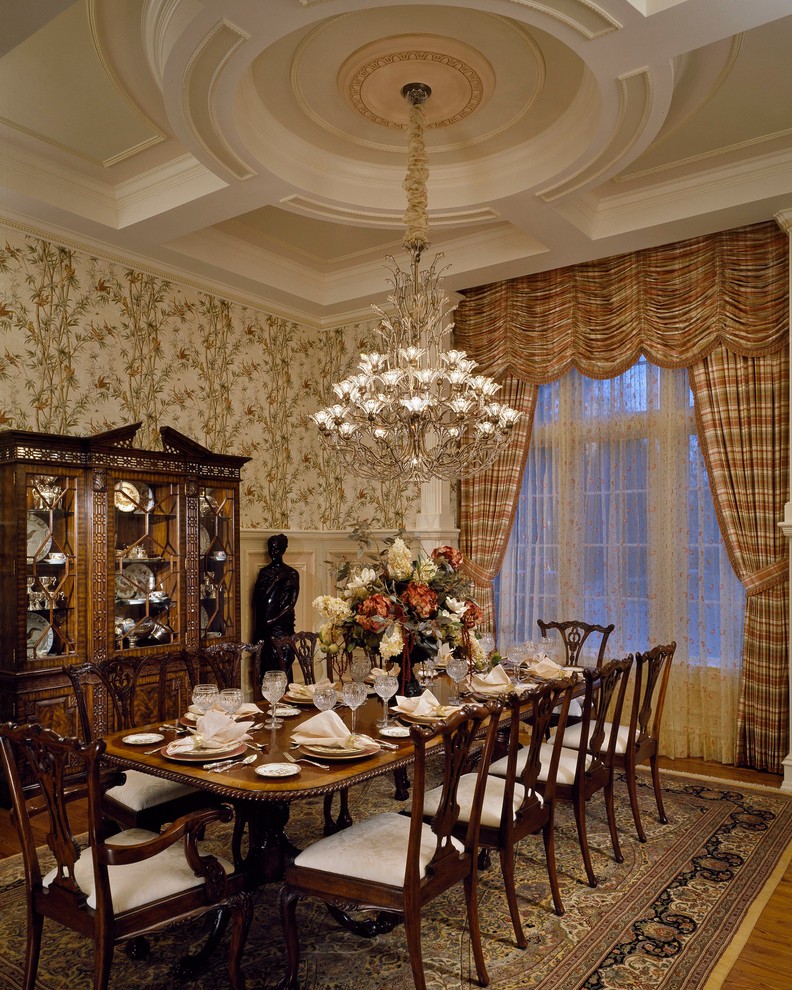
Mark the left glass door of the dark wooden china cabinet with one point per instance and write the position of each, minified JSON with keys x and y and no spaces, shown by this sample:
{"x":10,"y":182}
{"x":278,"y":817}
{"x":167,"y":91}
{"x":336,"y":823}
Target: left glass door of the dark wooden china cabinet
{"x":51,"y":589}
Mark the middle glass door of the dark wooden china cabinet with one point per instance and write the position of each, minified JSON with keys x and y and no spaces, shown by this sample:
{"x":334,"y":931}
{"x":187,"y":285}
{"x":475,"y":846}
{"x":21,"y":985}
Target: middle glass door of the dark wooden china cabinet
{"x":147,"y":559}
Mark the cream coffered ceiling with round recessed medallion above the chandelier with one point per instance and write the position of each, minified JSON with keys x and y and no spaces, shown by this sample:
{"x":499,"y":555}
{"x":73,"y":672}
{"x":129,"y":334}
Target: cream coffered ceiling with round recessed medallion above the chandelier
{"x":258,"y":145}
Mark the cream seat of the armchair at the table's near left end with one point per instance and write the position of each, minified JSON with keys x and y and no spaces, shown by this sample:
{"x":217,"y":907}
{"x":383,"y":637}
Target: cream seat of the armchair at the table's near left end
{"x":136,"y":884}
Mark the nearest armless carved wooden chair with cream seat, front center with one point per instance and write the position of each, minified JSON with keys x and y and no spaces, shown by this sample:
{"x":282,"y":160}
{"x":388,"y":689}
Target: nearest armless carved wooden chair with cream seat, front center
{"x":394,"y":864}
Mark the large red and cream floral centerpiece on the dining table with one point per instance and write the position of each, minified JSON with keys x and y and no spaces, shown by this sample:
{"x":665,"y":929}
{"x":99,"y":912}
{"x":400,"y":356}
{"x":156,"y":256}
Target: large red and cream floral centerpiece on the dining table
{"x":396,"y":604}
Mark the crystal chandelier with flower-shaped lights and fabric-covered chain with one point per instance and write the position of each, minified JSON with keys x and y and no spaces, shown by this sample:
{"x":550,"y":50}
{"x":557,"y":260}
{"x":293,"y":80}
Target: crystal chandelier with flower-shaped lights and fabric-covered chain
{"x":414,"y":410}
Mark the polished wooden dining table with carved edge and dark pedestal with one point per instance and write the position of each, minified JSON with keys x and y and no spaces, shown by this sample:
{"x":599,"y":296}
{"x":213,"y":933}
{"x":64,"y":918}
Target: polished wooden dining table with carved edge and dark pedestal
{"x":262,"y":804}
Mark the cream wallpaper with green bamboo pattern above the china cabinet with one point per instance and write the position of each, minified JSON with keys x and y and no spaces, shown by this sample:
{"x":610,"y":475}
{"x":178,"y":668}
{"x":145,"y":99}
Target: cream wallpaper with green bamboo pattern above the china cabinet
{"x":88,"y":343}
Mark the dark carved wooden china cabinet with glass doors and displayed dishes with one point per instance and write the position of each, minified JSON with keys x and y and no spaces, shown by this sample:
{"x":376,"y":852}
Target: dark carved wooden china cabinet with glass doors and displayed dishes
{"x":106,"y":549}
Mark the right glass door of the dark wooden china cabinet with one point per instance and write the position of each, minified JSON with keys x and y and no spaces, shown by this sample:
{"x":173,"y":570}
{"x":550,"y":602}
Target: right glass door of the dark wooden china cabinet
{"x":217,"y":566}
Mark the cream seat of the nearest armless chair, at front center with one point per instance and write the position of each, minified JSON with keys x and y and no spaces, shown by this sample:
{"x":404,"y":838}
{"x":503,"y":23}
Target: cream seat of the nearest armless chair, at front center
{"x":374,"y":849}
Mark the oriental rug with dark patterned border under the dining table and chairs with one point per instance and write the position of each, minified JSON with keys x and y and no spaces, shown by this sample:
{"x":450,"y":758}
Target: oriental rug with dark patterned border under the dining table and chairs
{"x":661,"y":920}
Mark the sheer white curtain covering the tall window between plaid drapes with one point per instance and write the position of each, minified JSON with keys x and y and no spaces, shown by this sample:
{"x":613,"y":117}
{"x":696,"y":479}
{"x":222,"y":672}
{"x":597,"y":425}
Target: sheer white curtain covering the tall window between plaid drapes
{"x":616,"y":524}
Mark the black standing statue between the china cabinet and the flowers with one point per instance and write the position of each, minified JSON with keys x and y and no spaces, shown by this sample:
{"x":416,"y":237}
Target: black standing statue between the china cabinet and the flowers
{"x":274,"y":598}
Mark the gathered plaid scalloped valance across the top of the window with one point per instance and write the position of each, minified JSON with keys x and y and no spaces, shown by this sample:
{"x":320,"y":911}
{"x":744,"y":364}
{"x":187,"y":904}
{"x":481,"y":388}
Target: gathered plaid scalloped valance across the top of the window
{"x":675,"y":304}
